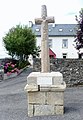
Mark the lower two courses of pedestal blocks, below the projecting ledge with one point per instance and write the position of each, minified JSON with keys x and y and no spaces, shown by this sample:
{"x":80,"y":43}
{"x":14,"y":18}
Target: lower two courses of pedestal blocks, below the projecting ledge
{"x":45,"y":103}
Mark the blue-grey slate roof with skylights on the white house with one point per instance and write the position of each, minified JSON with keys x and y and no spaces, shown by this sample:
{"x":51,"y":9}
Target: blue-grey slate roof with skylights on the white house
{"x":56,"y":29}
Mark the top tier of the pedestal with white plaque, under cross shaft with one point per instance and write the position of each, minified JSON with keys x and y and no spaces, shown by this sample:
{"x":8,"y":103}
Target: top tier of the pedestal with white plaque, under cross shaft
{"x":52,"y":78}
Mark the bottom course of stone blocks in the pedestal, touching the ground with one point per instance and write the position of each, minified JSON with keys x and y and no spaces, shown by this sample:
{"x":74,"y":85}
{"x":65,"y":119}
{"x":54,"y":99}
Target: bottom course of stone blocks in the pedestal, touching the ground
{"x":41,"y":110}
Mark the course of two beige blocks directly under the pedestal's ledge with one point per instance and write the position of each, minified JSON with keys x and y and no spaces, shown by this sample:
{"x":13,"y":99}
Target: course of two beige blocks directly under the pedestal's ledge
{"x":50,"y":98}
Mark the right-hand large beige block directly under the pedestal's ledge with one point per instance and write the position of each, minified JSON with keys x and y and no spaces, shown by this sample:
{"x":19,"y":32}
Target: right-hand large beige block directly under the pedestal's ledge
{"x":55,"y":98}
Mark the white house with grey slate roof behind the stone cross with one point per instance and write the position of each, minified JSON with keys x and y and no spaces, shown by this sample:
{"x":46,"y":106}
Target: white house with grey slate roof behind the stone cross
{"x":61,"y":39}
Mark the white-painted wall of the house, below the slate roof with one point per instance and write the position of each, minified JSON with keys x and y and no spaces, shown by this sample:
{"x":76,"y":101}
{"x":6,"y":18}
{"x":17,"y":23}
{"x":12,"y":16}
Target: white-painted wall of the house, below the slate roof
{"x":59,"y":50}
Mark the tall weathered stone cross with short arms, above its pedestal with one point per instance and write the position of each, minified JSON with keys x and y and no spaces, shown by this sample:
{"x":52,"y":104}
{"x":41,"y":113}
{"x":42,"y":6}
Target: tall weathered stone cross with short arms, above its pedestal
{"x":44,"y":20}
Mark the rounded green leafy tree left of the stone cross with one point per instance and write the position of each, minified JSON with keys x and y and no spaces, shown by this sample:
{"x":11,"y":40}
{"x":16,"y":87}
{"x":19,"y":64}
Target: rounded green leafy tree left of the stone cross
{"x":20,"y":42}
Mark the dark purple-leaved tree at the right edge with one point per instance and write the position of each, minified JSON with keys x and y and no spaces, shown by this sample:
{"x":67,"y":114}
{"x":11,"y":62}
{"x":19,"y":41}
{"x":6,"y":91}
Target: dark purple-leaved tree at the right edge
{"x":79,"y":35}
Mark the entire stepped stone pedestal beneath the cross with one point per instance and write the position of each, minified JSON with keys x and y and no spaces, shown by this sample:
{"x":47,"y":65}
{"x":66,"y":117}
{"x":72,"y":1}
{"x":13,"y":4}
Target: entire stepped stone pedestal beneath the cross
{"x":45,"y":92}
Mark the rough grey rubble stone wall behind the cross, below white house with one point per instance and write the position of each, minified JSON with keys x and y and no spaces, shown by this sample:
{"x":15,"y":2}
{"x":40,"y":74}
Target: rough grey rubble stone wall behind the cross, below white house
{"x":72,"y":69}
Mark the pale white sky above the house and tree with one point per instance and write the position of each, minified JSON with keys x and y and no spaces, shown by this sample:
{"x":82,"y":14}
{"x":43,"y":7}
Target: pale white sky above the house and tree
{"x":14,"y":12}
